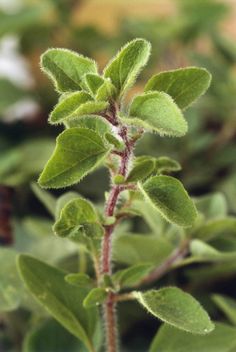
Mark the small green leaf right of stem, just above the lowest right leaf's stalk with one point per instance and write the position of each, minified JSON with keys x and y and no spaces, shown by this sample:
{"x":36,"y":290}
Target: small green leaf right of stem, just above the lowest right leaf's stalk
{"x":131,"y":276}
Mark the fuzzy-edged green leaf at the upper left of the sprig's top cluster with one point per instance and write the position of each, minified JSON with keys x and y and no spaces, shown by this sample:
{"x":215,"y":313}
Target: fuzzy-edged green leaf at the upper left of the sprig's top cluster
{"x":66,"y":68}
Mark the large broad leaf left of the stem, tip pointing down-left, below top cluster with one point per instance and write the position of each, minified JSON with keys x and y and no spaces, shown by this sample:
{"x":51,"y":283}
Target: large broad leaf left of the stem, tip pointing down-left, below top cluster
{"x":78,"y":152}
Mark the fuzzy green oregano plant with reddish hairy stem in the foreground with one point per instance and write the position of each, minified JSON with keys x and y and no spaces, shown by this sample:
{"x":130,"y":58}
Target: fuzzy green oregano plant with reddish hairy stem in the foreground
{"x":101,"y":129}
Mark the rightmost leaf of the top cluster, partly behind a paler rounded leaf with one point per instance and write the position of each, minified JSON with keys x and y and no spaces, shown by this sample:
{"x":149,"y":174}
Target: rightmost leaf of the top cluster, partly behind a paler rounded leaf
{"x":184,"y":85}
